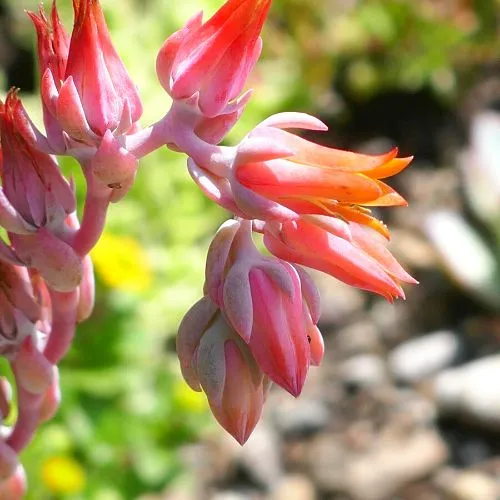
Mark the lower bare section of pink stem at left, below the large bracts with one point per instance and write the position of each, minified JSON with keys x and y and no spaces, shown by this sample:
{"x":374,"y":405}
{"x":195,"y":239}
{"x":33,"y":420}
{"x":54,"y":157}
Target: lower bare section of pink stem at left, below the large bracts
{"x":64,"y":308}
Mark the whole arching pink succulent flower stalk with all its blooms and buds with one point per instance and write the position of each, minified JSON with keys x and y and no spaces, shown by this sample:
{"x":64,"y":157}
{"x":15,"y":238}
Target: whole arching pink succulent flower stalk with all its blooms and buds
{"x":256,"y":322}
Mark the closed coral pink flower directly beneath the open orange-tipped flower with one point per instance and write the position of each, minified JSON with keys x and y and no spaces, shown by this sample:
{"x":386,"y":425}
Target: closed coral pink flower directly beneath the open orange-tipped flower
{"x":350,"y":252}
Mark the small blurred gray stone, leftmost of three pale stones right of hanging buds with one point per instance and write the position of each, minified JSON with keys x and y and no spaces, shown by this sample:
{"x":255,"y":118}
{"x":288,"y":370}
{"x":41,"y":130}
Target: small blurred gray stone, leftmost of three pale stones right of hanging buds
{"x":364,"y":371}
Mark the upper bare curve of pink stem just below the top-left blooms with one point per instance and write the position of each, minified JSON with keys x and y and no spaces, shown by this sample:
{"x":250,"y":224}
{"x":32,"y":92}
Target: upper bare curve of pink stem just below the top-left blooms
{"x":95,"y":211}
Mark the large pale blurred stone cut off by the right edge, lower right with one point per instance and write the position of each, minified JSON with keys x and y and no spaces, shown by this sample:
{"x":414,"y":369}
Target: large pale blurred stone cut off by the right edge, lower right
{"x":471,"y":391}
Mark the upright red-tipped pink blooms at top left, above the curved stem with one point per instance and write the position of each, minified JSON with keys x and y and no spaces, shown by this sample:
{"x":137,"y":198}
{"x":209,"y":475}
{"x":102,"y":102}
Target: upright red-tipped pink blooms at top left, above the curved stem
{"x":85,"y":87}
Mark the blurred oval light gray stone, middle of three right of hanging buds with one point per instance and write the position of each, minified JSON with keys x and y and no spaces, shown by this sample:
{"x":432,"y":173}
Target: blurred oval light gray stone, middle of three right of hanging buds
{"x":422,"y":357}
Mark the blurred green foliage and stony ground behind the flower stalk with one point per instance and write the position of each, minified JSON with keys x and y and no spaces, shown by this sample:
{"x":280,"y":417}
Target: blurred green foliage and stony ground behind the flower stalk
{"x":407,"y":402}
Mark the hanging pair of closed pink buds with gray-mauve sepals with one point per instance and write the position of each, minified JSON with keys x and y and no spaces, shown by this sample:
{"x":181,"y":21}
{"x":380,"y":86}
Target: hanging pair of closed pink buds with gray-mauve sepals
{"x":255,"y":325}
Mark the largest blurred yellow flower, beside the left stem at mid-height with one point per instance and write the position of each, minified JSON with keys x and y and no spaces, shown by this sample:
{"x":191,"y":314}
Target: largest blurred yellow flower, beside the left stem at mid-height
{"x":122,"y":263}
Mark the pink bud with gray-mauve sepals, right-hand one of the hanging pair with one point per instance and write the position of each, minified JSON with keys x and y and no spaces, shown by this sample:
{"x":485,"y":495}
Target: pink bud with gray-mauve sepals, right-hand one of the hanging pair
{"x":267,"y":303}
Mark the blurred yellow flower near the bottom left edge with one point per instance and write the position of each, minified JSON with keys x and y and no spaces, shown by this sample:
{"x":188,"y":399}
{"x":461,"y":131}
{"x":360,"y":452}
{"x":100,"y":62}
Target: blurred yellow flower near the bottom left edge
{"x":63,"y":475}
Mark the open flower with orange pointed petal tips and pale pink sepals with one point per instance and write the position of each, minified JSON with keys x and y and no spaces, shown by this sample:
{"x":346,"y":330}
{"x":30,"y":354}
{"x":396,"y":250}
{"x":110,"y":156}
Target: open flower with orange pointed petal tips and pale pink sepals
{"x":275,"y":175}
